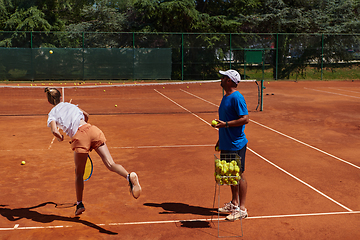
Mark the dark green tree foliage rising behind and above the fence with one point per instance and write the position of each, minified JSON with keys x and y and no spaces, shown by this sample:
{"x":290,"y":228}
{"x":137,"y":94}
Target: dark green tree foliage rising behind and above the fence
{"x":199,"y":16}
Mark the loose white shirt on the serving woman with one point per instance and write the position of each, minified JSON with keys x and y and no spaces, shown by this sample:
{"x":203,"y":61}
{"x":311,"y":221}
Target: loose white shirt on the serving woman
{"x":67,"y":117}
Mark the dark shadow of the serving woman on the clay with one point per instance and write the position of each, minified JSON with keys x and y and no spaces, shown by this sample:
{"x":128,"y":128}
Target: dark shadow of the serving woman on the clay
{"x":16,"y":214}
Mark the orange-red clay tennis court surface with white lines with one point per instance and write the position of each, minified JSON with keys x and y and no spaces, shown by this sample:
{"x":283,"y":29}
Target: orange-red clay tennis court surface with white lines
{"x":302,"y":163}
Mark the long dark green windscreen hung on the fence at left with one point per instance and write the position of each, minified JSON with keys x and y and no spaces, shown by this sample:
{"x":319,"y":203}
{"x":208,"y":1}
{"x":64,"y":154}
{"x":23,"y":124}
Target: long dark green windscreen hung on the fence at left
{"x":85,"y":63}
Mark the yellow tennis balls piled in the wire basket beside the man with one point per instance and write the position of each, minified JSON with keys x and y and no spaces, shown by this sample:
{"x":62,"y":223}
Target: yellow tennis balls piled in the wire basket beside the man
{"x":227,"y":173}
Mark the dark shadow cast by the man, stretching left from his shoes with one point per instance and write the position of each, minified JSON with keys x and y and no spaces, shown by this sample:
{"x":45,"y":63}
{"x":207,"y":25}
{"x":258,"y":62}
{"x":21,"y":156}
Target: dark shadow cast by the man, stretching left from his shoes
{"x":182,"y":208}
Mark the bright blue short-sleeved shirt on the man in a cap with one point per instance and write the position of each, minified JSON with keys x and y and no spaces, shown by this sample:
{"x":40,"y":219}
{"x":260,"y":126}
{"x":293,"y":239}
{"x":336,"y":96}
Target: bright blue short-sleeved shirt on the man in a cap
{"x":231,"y":108}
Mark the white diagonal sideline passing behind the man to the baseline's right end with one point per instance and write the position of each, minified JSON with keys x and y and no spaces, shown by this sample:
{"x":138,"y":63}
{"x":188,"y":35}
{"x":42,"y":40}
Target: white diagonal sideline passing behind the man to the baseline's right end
{"x":293,"y":176}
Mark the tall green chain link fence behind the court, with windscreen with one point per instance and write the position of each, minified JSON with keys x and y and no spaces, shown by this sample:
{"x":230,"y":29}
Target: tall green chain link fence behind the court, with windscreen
{"x":177,"y":56}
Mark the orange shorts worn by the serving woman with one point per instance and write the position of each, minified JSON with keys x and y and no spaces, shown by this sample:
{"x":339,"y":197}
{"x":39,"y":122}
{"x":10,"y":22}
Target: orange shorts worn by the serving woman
{"x":87,"y":138}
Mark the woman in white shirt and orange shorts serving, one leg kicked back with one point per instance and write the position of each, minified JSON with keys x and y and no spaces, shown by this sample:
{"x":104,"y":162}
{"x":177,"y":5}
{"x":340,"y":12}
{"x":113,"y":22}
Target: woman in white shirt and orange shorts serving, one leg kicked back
{"x":84,"y":138}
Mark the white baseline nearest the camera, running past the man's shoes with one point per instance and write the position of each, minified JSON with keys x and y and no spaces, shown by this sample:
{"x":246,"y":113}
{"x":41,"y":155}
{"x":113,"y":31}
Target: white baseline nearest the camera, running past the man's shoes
{"x":17,"y":226}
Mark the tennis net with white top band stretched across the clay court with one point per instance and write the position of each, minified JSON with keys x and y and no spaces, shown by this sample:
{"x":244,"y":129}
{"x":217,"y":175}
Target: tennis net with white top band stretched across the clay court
{"x":114,"y":98}
